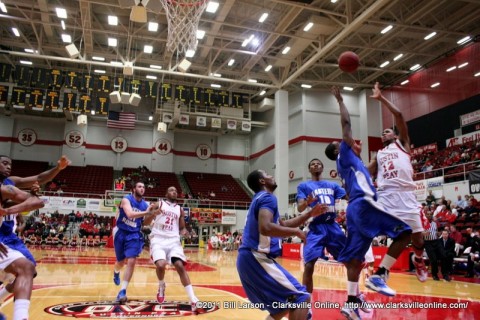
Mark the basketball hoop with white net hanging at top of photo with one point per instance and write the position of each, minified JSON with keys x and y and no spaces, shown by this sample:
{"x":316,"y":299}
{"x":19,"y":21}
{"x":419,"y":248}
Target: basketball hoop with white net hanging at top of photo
{"x":183,"y":17}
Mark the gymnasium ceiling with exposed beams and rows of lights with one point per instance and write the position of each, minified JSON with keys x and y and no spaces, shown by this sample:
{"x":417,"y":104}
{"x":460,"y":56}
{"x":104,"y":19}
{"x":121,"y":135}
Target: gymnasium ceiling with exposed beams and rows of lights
{"x":312,"y":60}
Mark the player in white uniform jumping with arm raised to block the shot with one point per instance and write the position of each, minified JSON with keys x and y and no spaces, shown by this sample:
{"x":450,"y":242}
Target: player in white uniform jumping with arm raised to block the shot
{"x":394,"y":173}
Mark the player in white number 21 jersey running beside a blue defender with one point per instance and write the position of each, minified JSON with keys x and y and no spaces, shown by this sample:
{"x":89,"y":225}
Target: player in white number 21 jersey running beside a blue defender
{"x":165,"y":245}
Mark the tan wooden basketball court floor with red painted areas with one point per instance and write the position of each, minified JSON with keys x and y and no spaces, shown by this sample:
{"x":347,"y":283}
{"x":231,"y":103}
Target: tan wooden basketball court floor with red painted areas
{"x":77,"y":282}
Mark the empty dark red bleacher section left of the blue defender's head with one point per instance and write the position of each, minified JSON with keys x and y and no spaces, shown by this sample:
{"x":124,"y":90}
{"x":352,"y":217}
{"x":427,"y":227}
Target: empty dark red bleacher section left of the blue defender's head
{"x":89,"y":179}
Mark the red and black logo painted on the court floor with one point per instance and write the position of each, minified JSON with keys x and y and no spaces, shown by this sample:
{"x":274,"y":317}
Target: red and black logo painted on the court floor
{"x":132,"y":309}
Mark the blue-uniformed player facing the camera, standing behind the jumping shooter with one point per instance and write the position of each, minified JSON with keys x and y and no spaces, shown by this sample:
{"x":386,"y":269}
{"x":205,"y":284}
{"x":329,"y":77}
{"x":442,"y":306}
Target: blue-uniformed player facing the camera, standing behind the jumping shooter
{"x":322,"y":232}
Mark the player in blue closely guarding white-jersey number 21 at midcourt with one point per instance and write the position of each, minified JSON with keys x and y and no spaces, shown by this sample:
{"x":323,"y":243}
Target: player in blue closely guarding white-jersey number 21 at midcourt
{"x":127,"y":235}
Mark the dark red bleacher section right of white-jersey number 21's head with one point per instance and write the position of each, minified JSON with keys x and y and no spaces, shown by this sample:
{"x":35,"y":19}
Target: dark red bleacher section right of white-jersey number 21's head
{"x":203,"y":183}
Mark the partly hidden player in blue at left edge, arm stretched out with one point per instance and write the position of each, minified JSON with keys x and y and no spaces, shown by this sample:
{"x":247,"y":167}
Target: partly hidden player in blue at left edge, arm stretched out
{"x":7,"y":231}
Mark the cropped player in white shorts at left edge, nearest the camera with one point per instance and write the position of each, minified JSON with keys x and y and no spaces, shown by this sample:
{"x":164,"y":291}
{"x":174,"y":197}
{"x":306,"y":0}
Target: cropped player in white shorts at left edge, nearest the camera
{"x":12,"y":261}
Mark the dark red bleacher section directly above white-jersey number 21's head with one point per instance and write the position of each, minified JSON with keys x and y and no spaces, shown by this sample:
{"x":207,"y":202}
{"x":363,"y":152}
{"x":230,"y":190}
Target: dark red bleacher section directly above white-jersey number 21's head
{"x":160,"y":181}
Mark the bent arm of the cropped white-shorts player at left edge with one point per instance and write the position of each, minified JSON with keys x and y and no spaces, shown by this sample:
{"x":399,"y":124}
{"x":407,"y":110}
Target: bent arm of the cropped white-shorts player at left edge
{"x":24,"y":200}
